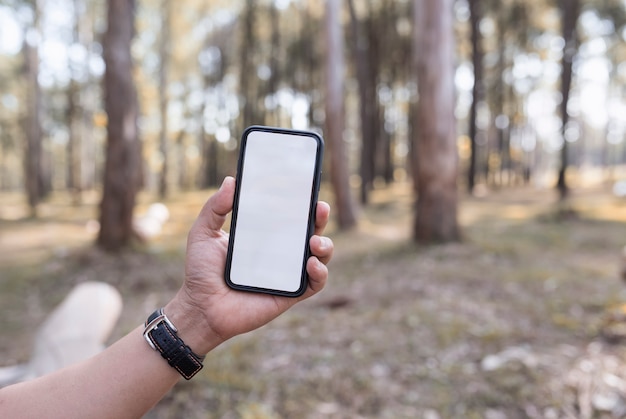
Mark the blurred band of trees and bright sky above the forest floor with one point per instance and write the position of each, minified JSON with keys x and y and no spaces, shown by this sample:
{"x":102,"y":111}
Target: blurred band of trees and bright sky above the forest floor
{"x":538,"y":94}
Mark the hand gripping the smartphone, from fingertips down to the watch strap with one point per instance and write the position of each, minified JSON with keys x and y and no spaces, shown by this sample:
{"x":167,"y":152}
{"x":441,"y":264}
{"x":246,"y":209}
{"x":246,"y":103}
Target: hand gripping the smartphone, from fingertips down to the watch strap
{"x":206,"y":311}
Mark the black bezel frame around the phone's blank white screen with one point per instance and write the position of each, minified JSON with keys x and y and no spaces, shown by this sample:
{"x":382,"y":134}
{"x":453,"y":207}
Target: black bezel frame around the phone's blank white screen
{"x":311,"y":218}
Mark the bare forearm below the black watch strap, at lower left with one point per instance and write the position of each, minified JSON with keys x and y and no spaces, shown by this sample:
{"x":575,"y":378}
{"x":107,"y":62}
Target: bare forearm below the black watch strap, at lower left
{"x":124,"y":381}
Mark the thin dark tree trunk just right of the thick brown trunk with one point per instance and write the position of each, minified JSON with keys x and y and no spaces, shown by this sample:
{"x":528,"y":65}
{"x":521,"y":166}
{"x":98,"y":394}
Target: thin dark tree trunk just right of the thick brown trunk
{"x":477,"y":89}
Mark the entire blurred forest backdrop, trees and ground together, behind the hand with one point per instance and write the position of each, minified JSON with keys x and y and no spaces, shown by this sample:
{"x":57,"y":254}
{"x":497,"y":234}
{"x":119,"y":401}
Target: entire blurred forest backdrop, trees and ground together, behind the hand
{"x":498,"y":122}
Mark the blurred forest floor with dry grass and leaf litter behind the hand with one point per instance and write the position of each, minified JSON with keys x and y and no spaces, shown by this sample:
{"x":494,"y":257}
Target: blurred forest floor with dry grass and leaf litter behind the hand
{"x":523,"y":318}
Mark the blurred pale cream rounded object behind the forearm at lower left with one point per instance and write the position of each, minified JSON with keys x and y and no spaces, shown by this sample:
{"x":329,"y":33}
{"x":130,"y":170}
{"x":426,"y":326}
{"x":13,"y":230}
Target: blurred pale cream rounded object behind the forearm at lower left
{"x":75,"y":330}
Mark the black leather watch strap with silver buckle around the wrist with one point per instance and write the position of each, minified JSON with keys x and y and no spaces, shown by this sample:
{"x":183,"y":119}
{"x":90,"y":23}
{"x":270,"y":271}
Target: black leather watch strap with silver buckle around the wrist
{"x":161,"y":335}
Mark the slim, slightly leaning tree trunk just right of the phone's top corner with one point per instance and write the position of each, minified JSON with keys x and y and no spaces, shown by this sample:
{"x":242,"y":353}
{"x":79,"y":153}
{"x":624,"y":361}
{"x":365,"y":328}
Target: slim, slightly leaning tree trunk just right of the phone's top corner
{"x":335,"y":116}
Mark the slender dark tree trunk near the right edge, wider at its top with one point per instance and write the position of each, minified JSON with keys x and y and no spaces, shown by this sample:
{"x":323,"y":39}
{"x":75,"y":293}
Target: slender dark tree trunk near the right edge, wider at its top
{"x":569,"y":11}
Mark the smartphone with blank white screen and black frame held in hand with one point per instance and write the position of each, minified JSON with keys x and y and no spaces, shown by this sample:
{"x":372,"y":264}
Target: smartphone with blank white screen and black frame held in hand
{"x":278,"y":178}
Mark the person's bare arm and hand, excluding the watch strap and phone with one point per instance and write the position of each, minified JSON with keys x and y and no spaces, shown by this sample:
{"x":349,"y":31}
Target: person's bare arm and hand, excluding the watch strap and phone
{"x":128,"y":378}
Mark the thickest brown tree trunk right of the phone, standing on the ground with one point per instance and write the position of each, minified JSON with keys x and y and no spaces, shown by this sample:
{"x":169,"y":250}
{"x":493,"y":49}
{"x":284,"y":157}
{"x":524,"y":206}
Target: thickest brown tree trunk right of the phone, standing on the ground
{"x":437,"y":160}
